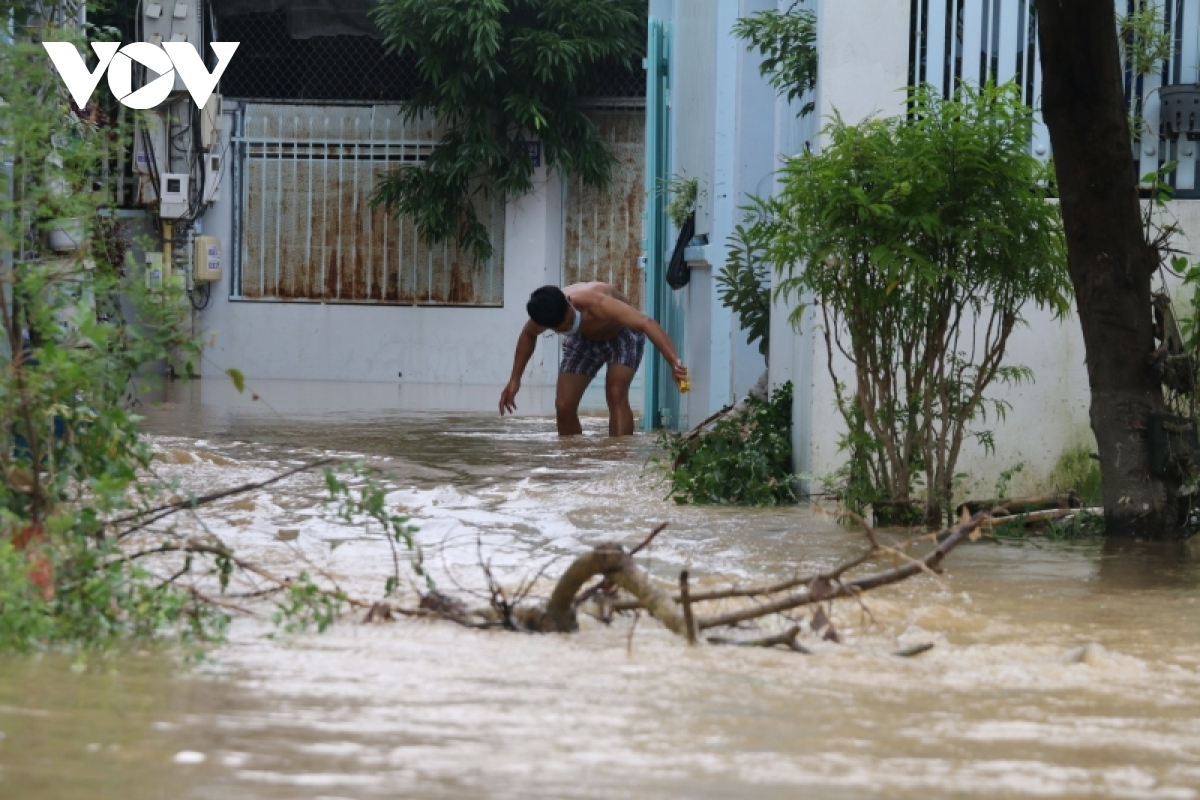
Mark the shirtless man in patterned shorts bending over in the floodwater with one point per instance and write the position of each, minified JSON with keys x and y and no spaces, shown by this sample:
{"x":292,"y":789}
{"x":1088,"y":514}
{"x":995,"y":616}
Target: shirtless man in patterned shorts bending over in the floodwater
{"x":602,"y":328}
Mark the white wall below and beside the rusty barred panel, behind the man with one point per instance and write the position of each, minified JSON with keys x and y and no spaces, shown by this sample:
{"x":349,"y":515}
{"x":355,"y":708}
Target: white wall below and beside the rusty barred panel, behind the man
{"x":367,"y":348}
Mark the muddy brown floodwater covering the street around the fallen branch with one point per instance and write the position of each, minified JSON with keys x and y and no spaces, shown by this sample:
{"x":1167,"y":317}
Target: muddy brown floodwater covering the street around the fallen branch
{"x":1059,"y":670}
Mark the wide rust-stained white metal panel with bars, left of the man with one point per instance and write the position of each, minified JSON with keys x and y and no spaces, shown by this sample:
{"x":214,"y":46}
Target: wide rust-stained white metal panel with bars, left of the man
{"x":304,"y":224}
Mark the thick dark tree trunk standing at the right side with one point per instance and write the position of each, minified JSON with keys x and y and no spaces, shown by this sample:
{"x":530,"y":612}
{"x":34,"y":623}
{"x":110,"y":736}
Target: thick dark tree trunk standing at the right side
{"x":1109,"y":261}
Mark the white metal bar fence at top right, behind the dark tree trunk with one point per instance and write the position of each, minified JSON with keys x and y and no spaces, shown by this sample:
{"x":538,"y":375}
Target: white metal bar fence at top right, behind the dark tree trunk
{"x":997,"y":40}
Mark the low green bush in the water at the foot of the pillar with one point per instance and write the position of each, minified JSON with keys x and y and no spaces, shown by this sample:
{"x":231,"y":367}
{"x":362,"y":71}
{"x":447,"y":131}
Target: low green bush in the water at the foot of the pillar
{"x":743,"y":461}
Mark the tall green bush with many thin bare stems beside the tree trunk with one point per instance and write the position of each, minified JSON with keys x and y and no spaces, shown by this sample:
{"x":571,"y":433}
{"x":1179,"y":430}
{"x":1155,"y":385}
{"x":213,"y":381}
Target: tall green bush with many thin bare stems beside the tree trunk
{"x":921,"y":239}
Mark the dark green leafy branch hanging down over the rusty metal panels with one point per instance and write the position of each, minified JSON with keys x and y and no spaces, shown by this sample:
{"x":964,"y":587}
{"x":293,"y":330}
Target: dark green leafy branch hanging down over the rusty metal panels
{"x":500,"y":75}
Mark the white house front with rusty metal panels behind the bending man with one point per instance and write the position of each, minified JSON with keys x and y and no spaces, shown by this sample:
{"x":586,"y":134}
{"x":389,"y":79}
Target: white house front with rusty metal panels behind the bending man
{"x":326,"y":302}
